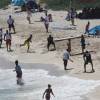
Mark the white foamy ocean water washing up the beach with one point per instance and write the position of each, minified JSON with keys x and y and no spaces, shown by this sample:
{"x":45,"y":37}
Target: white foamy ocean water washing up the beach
{"x":36,"y":80}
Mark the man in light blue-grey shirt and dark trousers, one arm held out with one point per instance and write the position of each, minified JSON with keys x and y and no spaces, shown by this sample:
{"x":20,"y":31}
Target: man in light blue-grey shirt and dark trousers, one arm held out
{"x":66,"y":57}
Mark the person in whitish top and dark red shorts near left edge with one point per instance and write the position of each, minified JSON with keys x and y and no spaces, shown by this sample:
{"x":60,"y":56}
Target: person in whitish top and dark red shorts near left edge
{"x":8,"y":38}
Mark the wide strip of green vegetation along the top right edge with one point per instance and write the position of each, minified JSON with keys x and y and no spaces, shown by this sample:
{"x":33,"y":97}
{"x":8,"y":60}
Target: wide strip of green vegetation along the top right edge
{"x":64,"y":4}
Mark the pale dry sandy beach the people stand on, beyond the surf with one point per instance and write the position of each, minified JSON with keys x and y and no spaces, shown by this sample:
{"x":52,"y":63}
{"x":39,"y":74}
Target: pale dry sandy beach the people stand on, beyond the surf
{"x":39,"y":53}
